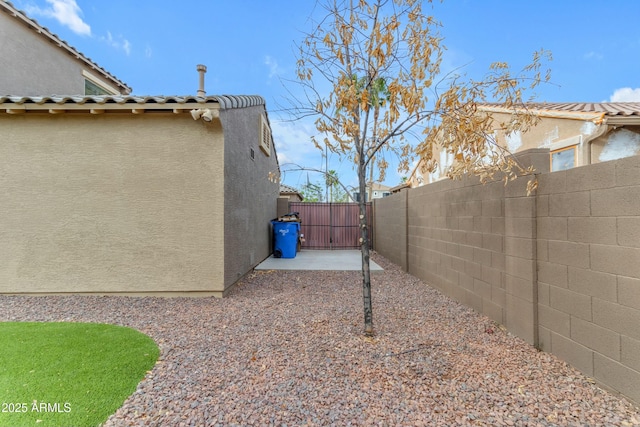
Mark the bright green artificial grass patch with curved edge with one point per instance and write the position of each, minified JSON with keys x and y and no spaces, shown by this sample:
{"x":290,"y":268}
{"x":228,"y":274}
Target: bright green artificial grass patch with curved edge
{"x":69,"y":374}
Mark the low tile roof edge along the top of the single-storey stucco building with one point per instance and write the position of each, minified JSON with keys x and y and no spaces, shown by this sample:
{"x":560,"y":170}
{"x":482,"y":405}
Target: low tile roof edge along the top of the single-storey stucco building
{"x":225,"y":101}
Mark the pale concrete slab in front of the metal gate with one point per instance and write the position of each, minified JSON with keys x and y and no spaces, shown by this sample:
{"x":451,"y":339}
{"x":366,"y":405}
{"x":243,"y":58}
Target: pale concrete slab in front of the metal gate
{"x":338,"y":260}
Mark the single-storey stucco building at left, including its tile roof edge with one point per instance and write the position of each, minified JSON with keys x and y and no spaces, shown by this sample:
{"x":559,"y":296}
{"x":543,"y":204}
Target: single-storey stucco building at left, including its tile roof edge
{"x":134,"y":195}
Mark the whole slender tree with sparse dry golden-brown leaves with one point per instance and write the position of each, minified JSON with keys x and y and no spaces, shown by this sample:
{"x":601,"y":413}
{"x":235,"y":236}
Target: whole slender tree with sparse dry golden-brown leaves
{"x":361,"y":43}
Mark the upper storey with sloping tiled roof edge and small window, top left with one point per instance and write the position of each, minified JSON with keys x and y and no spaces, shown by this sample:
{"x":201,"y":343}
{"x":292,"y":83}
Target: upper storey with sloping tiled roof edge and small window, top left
{"x":36,"y":62}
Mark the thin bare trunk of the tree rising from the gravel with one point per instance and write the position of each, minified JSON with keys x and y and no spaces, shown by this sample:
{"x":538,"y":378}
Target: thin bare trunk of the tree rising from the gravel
{"x":364,"y":242}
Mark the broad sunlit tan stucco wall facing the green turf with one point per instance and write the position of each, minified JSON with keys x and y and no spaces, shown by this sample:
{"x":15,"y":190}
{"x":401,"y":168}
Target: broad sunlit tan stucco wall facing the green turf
{"x":110,"y":203}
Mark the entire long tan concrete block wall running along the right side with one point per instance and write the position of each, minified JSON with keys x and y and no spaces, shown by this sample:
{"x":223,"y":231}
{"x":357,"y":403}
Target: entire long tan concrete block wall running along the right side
{"x":560,"y":269}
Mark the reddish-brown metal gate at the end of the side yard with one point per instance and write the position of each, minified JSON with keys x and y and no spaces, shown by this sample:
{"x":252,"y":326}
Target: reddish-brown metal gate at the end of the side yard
{"x":331,"y":225}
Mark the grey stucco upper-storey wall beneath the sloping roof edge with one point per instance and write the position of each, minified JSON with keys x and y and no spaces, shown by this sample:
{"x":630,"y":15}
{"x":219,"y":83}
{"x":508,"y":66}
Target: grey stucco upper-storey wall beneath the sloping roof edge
{"x":34,"y":66}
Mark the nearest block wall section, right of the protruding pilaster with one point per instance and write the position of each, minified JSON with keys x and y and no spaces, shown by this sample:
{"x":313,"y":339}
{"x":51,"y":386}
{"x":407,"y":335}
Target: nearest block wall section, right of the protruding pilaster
{"x":588,"y":225}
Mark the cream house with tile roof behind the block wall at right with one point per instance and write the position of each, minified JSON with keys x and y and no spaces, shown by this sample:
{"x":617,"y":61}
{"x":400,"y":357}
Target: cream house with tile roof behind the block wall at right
{"x":575,"y":133}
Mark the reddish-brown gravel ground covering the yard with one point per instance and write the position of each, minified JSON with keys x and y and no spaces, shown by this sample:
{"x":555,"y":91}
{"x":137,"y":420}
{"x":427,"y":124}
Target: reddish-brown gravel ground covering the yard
{"x":286,"y":348}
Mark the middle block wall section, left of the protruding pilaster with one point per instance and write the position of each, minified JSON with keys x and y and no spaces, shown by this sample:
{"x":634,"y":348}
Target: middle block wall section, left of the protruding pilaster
{"x":456,"y":242}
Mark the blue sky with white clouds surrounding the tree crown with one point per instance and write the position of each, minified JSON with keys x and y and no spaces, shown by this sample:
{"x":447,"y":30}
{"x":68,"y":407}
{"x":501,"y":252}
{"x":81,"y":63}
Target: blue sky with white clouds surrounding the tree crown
{"x":248,"y":47}
